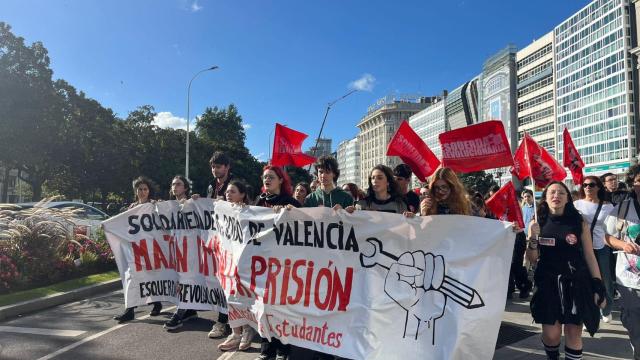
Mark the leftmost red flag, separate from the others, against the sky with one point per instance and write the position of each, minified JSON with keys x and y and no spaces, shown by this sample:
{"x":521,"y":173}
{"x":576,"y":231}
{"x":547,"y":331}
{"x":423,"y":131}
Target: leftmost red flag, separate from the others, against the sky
{"x":287,"y":148}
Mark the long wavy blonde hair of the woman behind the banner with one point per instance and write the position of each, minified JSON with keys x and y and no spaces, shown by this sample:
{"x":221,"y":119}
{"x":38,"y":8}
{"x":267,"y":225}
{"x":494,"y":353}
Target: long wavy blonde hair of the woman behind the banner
{"x":457,"y":200}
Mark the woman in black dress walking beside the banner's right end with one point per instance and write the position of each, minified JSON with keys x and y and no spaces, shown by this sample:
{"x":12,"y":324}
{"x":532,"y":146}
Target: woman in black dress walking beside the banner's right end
{"x":569,"y":286}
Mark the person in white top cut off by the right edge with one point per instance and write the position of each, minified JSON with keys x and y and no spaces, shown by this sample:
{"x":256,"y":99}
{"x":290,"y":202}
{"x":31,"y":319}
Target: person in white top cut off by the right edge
{"x":623,"y":236}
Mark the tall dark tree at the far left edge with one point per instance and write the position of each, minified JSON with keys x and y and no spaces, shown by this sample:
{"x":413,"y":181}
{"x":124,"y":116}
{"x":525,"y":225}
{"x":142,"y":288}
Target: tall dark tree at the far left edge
{"x":30,"y":115}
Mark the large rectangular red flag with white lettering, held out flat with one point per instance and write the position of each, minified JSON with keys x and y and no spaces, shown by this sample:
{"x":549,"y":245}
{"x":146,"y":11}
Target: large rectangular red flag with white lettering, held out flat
{"x":476,"y":147}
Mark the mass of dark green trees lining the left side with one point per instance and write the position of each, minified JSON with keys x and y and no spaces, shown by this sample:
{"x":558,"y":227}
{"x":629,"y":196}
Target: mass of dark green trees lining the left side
{"x":66,"y":143}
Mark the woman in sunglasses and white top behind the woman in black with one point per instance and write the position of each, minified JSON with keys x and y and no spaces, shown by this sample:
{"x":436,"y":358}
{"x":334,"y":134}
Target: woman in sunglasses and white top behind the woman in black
{"x":594,"y":210}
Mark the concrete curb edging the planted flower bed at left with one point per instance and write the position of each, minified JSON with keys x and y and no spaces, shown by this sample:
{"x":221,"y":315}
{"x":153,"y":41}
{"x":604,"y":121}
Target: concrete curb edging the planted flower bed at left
{"x":29,"y":306}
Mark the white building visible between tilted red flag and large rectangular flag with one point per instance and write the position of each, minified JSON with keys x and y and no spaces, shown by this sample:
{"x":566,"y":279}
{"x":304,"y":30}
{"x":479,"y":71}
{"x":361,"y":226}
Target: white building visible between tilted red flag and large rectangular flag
{"x":429,"y":123}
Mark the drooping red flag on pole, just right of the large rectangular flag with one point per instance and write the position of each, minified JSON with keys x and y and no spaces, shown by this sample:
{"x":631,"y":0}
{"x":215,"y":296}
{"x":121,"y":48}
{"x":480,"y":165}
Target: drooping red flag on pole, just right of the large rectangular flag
{"x":532,"y":160}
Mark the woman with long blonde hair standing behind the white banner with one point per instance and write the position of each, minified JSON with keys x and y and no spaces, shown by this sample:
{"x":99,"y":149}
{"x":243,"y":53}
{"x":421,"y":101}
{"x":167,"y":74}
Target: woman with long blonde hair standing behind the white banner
{"x":449,"y":195}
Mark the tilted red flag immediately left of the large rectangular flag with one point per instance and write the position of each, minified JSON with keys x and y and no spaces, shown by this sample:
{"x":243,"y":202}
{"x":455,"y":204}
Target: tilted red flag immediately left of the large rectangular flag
{"x":413,"y":151}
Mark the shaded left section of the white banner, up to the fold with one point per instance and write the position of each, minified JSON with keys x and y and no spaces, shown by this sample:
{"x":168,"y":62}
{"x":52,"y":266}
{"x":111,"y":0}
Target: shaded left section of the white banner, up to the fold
{"x":164,"y":252}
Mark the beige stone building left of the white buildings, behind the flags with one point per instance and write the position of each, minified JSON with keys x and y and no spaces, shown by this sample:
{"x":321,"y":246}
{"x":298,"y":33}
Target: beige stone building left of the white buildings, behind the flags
{"x":379,"y":125}
